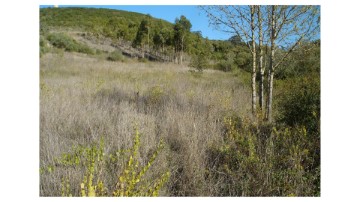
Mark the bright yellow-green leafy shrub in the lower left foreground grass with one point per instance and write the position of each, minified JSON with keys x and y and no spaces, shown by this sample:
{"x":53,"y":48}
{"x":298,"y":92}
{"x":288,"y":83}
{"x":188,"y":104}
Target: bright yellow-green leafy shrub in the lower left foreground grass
{"x":95,"y":161}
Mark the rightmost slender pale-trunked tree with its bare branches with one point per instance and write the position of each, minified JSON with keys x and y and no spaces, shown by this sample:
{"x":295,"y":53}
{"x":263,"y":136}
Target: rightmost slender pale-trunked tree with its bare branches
{"x":289,"y":25}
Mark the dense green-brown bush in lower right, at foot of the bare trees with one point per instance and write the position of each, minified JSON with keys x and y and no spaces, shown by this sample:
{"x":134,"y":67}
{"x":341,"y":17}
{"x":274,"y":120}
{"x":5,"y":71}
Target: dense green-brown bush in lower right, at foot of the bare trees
{"x":259,"y":160}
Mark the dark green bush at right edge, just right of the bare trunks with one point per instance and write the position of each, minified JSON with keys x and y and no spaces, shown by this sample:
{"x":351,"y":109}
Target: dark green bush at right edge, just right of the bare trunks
{"x":299,"y":105}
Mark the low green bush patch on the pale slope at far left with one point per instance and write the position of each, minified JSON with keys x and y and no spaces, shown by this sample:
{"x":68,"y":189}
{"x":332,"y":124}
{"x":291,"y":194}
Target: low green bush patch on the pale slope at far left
{"x":63,"y":41}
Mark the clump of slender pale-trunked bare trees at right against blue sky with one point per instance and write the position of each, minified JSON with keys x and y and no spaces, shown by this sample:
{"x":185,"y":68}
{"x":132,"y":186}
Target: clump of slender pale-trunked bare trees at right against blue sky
{"x":286,"y":26}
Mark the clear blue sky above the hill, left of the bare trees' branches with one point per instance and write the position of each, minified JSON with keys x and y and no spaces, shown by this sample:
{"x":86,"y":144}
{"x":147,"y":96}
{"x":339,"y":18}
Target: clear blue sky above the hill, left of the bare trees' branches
{"x":197,"y":18}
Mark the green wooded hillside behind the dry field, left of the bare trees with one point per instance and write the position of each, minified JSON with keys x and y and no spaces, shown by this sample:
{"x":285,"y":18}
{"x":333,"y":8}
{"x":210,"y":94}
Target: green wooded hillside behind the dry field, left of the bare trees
{"x":145,"y":31}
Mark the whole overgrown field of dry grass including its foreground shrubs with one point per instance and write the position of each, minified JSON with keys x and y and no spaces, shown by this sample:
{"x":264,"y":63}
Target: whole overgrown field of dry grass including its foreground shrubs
{"x":147,"y":129}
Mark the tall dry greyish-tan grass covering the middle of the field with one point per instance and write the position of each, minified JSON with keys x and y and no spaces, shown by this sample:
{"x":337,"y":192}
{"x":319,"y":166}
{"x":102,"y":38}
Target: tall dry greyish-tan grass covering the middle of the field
{"x":84,"y":98}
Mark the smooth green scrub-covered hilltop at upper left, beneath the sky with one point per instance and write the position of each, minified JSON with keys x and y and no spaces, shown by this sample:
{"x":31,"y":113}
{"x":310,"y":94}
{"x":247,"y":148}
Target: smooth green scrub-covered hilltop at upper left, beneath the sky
{"x":111,"y":23}
